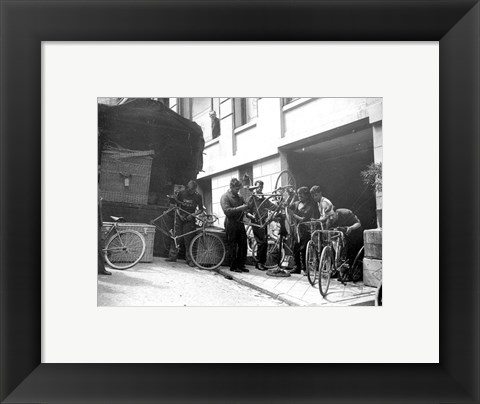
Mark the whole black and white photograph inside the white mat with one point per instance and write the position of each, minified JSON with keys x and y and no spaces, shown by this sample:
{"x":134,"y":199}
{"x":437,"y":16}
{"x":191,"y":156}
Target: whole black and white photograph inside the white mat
{"x":240,"y":201}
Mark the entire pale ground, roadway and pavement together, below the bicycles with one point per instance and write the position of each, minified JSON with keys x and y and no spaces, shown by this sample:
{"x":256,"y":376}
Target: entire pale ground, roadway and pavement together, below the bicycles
{"x":162,"y":283}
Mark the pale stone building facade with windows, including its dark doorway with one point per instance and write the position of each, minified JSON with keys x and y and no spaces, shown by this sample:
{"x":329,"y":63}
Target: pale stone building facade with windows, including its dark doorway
{"x":322,"y":141}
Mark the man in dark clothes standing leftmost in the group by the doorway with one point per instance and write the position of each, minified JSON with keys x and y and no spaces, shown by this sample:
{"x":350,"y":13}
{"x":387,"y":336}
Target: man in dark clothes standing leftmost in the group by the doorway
{"x":233,"y":205}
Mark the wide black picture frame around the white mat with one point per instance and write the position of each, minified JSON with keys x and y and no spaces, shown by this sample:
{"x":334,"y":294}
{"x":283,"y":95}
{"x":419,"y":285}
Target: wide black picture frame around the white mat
{"x":24,"y":24}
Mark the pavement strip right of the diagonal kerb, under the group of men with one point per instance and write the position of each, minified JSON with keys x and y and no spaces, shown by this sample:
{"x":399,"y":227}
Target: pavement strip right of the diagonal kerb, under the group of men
{"x":295,"y":290}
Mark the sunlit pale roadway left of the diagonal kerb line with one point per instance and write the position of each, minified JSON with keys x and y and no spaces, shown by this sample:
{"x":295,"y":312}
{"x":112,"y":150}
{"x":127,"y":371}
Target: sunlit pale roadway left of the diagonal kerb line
{"x":175,"y":284}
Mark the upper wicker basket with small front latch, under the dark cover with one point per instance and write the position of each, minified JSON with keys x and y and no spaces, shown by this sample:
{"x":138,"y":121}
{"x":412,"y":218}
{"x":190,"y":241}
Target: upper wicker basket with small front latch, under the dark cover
{"x":125,"y":176}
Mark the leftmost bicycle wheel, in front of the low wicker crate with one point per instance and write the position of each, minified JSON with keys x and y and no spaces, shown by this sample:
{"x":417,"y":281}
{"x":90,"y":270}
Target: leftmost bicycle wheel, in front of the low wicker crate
{"x":124,"y":249}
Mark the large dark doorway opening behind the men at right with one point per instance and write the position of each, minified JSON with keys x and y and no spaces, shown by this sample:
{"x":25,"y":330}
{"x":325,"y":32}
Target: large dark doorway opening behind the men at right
{"x":335,"y":166}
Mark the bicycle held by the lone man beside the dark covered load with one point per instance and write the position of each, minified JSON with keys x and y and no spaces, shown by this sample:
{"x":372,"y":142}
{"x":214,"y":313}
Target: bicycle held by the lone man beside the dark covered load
{"x":207,"y":250}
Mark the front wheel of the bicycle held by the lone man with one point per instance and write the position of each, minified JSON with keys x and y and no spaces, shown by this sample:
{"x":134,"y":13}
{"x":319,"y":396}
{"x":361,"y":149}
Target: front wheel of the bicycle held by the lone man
{"x":207,"y":251}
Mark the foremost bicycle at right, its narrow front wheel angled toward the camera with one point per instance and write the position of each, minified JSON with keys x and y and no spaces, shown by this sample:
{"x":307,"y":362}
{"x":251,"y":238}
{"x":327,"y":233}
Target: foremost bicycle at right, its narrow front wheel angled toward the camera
{"x":333,"y":258}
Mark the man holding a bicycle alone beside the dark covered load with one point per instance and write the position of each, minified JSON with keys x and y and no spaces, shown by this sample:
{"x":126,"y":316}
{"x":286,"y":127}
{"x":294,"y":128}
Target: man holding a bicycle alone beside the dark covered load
{"x":190,"y":201}
